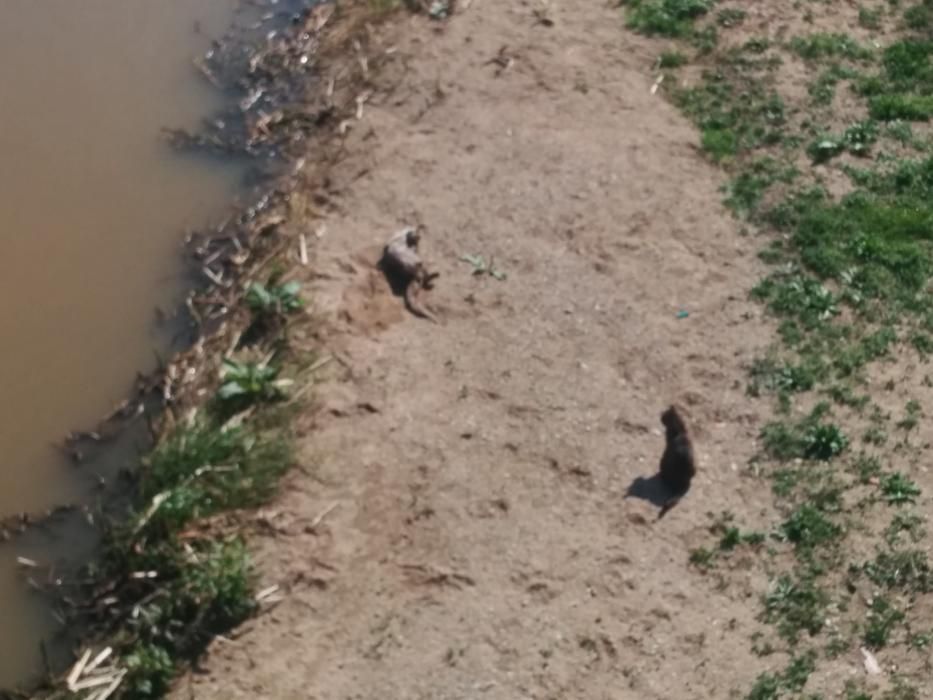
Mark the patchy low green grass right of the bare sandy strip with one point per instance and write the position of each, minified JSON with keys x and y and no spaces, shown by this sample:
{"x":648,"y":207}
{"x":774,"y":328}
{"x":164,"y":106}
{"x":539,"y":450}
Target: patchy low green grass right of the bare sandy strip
{"x":851,"y":267}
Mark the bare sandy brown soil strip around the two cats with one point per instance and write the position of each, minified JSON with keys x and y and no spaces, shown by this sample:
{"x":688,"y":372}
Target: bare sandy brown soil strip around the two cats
{"x":459,"y":526}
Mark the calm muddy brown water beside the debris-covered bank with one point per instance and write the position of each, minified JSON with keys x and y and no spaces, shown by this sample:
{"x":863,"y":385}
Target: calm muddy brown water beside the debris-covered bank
{"x":93,"y":210}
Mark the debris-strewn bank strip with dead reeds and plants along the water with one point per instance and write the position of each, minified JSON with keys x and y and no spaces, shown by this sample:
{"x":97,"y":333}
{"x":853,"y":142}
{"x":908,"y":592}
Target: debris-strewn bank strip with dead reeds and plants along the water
{"x":173,"y":570}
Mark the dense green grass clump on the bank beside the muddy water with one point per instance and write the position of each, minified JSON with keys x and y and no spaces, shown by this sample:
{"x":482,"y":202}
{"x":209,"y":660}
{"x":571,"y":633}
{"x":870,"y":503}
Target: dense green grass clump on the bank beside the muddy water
{"x":200,"y":585}
